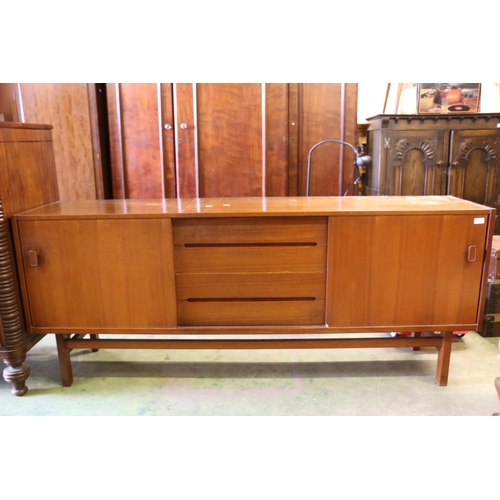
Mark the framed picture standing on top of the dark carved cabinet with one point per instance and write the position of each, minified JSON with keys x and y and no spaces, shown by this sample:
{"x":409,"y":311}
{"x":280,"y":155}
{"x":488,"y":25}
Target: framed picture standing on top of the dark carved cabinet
{"x":443,"y":98}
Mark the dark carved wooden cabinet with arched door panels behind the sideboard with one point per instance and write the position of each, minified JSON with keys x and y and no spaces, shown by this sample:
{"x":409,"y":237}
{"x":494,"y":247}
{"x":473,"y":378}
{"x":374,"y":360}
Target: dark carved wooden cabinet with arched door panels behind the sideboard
{"x":443,"y":154}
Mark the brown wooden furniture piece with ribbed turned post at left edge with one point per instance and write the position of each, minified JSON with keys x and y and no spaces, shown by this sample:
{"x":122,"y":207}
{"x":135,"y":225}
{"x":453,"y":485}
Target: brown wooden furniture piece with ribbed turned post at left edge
{"x":27,"y":180}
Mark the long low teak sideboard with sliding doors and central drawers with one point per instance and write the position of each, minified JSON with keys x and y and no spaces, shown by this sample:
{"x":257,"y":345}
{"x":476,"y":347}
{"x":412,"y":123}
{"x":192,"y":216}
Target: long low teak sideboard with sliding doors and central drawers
{"x":254,"y":272}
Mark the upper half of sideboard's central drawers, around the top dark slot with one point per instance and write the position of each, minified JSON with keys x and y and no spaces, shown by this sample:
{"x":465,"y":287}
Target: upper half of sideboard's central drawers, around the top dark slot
{"x":250,"y":245}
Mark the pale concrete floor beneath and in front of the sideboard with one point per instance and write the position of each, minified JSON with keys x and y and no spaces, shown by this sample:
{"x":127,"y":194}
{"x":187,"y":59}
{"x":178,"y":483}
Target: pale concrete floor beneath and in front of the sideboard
{"x":323,"y":382}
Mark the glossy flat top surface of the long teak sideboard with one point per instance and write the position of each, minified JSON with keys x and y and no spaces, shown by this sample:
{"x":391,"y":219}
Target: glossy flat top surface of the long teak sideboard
{"x":245,"y":207}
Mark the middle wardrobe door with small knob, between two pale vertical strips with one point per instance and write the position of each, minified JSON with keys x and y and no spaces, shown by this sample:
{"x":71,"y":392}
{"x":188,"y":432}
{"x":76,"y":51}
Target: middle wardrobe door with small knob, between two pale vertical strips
{"x":231,"y":139}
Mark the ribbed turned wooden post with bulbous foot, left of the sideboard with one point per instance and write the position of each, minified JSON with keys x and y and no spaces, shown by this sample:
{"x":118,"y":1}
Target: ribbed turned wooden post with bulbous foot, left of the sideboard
{"x":16,"y":371}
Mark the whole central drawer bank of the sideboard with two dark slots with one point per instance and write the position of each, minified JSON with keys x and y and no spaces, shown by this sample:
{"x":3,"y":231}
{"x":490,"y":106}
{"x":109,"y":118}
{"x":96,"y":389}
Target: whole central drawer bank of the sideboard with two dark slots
{"x":250,"y":271}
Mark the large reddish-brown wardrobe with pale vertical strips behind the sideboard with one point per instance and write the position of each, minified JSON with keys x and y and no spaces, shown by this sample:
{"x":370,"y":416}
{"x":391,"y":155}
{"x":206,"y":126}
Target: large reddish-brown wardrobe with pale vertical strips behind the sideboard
{"x":229,"y":139}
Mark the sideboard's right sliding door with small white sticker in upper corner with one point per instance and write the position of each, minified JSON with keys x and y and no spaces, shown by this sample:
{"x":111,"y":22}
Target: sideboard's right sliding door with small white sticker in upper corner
{"x":408,"y":270}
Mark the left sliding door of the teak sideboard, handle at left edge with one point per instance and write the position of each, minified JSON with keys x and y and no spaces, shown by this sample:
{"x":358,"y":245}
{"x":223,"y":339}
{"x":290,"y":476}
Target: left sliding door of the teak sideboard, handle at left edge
{"x":99,"y":274}
